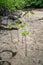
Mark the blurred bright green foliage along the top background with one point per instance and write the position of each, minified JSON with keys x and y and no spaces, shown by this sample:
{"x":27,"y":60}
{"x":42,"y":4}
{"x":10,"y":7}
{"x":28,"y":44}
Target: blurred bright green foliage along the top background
{"x":19,"y":4}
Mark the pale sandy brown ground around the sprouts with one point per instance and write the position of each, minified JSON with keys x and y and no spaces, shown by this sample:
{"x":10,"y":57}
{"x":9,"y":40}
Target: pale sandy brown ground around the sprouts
{"x":34,"y":42}
